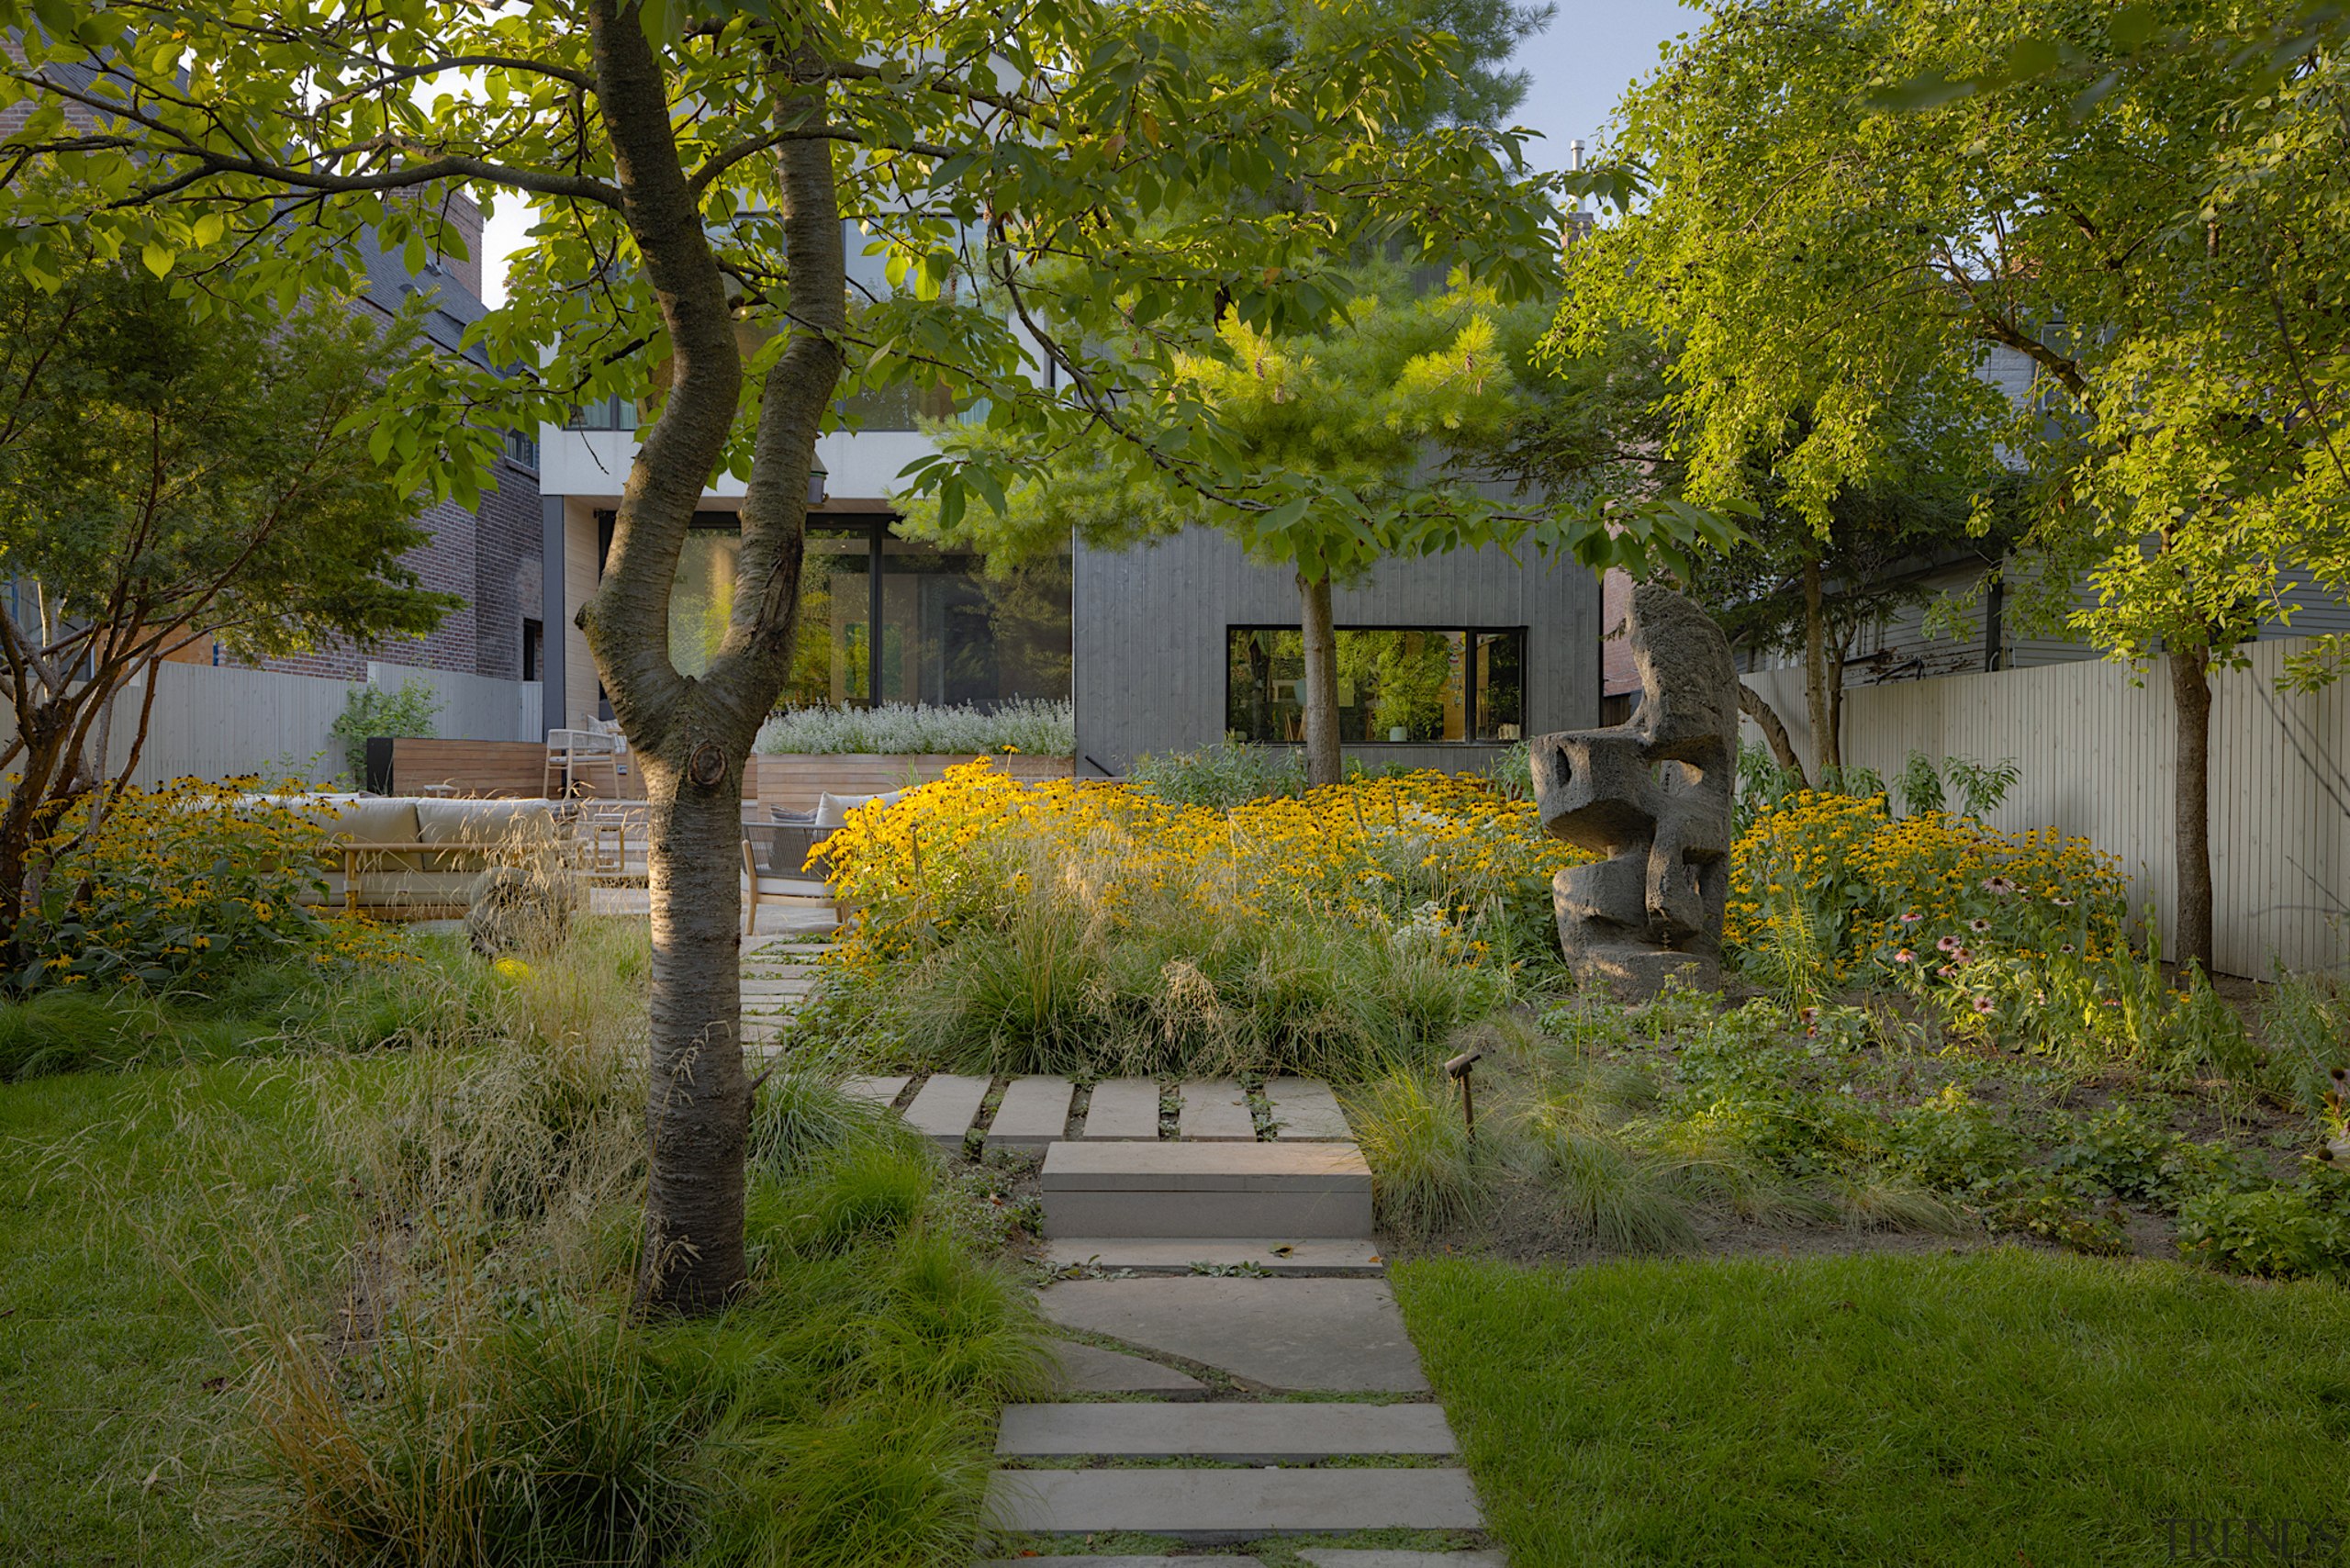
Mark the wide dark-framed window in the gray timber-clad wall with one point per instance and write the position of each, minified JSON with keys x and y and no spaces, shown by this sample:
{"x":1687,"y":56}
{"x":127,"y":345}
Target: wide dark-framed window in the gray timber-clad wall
{"x":1395,"y":685}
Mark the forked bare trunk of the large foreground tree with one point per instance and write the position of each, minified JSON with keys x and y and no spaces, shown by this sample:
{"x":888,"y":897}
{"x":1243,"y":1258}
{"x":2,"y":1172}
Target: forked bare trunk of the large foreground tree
{"x":692,"y":737}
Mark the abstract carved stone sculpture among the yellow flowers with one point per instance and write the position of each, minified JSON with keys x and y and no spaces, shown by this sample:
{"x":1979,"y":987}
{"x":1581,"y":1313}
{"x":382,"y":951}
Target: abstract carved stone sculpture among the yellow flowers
{"x":1653,"y":800}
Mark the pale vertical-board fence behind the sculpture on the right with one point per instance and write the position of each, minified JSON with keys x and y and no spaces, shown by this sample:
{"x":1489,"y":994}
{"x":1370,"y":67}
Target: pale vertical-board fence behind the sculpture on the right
{"x":2095,"y":753}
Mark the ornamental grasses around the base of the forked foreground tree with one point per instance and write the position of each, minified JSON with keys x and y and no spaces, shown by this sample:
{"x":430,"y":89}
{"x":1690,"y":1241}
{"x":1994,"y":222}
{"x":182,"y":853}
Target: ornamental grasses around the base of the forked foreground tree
{"x":443,"y":1365}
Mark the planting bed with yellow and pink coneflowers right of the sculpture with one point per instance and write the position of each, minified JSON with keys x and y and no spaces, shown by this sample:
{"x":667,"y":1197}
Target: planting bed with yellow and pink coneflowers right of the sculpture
{"x":1947,"y":1033}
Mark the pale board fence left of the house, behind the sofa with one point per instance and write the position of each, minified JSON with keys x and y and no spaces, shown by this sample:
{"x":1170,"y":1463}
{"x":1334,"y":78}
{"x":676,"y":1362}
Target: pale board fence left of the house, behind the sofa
{"x":217,"y":723}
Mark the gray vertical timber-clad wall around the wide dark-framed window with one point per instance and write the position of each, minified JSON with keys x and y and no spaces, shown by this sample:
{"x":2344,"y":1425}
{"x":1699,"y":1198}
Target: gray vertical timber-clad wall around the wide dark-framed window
{"x":1150,"y":638}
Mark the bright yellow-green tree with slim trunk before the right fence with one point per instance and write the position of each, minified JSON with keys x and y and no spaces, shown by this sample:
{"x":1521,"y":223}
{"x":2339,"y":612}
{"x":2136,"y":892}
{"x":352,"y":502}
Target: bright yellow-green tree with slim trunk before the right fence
{"x":1848,"y":208}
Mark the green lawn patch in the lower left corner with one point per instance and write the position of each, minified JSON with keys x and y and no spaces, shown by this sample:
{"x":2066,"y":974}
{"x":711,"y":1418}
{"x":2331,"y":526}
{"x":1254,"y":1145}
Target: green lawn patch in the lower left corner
{"x":109,"y":1367}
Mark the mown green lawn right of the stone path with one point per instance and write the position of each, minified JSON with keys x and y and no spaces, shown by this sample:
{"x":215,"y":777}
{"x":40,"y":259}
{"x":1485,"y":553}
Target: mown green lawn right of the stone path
{"x":1999,"y":1407}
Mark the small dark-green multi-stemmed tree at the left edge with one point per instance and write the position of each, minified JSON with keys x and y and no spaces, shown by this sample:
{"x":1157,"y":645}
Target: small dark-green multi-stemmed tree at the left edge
{"x":166,"y":478}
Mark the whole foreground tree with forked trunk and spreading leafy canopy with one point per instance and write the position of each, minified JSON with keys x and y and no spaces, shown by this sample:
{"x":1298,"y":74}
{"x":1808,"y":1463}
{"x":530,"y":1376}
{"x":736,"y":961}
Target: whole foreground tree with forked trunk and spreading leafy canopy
{"x":1066,"y":201}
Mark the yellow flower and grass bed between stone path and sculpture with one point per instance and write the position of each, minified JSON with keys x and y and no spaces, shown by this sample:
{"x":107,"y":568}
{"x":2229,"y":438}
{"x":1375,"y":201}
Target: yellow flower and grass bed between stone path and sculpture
{"x":1108,"y":930}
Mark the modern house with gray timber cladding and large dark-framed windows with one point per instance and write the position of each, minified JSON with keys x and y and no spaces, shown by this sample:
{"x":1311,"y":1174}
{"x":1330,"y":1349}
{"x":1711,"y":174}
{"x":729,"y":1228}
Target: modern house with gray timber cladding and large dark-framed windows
{"x":1164,"y":648}
